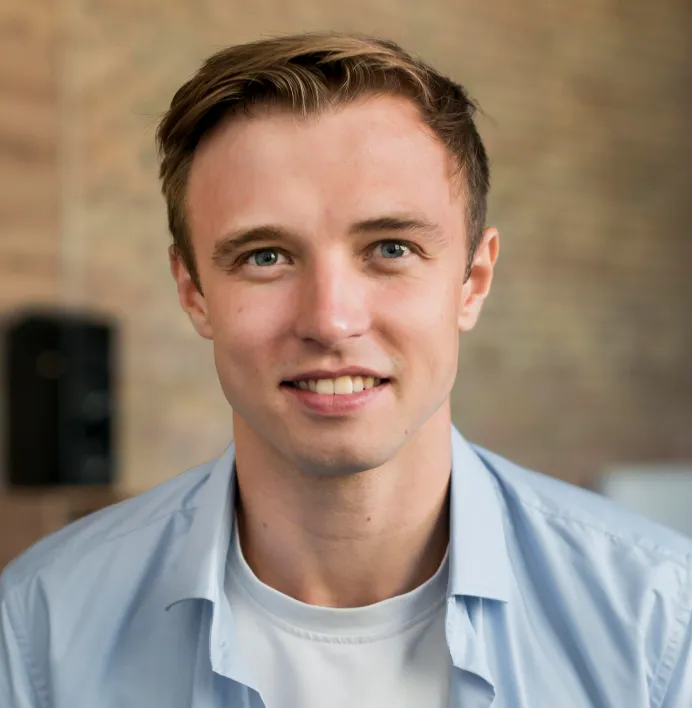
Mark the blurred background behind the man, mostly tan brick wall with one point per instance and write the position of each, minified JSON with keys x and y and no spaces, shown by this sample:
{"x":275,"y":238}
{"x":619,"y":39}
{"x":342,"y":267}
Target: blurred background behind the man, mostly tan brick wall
{"x":581,"y":366}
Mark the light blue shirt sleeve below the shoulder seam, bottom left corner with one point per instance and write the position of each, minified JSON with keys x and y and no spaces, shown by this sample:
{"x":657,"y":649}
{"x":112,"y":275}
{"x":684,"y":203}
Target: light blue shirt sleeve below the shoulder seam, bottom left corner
{"x":17,"y":689}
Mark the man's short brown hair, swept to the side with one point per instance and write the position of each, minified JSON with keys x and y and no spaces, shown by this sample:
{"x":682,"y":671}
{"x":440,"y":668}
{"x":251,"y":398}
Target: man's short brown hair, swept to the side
{"x":308,"y":73}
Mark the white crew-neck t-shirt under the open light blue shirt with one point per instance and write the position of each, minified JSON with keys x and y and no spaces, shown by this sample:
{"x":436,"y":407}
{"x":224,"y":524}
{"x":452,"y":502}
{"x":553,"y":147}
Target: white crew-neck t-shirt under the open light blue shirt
{"x":390,"y":654}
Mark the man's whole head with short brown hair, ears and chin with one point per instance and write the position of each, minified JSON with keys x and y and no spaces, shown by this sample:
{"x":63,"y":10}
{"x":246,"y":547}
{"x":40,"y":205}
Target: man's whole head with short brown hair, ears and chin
{"x":326,"y":195}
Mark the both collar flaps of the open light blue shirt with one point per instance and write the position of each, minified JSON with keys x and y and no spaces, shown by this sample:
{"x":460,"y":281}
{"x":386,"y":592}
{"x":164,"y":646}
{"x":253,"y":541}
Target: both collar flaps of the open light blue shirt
{"x":479,"y":564}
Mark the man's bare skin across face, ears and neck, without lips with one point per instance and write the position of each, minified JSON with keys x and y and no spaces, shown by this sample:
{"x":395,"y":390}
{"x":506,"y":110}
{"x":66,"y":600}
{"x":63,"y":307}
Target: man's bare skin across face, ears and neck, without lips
{"x":346,"y":510}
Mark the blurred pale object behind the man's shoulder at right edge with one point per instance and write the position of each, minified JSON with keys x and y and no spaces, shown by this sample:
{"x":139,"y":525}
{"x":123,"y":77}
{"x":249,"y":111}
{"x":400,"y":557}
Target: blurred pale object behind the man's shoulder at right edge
{"x":660,"y":491}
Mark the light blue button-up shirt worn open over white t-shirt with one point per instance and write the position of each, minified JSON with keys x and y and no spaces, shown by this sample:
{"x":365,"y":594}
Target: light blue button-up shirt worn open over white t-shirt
{"x":556,"y":598}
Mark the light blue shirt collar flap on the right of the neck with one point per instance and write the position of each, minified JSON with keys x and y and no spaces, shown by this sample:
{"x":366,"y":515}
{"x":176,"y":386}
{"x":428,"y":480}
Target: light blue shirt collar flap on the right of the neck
{"x":479,"y":562}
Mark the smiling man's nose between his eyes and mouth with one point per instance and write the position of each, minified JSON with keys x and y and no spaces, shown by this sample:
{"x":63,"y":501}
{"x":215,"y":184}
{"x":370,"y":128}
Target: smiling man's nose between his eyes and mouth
{"x":333,"y":304}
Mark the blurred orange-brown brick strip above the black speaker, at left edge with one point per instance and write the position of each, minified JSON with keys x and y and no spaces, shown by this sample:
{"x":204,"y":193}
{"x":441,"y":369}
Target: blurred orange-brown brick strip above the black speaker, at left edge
{"x":29,"y":152}
